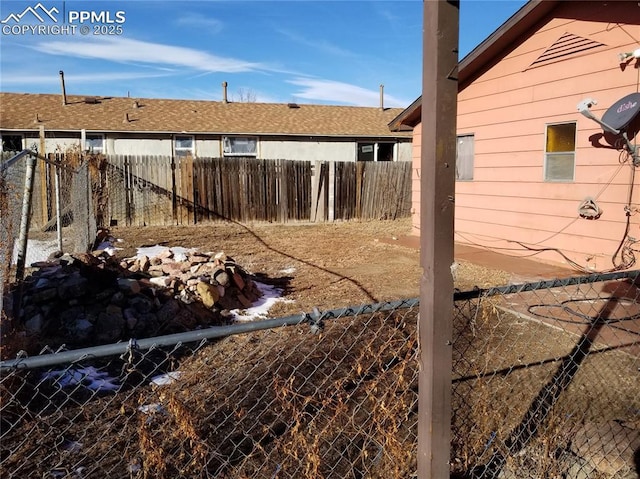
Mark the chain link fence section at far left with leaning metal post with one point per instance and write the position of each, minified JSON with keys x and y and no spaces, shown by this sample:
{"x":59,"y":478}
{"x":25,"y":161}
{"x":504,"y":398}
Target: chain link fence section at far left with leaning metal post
{"x":45,"y":207}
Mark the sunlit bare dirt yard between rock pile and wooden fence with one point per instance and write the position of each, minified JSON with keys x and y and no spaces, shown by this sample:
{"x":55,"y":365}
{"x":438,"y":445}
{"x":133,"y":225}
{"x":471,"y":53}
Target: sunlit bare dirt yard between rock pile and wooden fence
{"x":326,"y":266}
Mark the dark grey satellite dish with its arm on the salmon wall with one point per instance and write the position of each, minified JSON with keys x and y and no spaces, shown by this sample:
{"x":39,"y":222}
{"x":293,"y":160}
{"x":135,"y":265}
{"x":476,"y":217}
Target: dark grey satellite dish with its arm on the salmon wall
{"x":616,"y":119}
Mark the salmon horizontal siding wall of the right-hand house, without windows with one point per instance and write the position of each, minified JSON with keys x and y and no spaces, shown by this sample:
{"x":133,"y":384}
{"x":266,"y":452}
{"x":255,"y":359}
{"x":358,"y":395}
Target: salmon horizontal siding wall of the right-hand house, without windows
{"x":508,"y":207}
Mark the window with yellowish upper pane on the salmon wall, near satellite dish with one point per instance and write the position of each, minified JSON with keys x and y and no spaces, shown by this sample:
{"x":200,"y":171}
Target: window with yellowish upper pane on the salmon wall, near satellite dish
{"x":560,"y":152}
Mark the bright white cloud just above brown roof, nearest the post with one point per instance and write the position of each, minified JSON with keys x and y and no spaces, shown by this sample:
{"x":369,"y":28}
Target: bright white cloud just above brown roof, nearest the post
{"x":334,"y":91}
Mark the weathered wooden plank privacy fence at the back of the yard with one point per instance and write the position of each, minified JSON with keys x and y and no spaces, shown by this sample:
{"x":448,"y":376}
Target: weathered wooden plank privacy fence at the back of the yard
{"x":138,"y":190}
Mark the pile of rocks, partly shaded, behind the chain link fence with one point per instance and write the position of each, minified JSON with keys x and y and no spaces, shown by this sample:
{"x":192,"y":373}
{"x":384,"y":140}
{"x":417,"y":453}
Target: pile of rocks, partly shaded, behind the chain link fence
{"x":86,"y":299}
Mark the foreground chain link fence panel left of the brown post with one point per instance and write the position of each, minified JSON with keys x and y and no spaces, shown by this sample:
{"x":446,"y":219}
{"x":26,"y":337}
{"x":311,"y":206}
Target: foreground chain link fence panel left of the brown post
{"x":331,"y":395}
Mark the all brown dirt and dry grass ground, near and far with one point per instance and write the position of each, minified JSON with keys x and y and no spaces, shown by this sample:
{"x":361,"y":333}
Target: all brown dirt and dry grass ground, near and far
{"x":343,"y":403}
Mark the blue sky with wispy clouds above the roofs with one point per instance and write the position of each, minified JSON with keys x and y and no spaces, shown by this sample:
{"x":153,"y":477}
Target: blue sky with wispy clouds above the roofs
{"x":325,"y":52}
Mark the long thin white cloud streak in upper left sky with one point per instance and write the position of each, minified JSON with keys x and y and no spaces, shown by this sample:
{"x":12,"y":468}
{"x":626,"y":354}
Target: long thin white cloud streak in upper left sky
{"x":124,"y":50}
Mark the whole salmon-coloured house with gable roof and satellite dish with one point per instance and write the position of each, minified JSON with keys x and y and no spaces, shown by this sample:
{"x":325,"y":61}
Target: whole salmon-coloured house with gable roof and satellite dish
{"x":535,"y":176}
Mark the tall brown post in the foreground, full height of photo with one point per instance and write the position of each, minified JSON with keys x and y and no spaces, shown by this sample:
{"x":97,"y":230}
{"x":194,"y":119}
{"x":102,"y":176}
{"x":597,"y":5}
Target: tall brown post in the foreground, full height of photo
{"x":437,"y":185}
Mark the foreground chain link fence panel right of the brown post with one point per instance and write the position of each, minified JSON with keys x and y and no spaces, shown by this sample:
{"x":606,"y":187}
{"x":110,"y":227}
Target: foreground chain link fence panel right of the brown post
{"x":546,"y":380}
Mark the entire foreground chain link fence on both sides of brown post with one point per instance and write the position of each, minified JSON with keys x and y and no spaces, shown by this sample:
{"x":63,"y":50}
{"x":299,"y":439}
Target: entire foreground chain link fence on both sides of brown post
{"x":545,"y":385}
